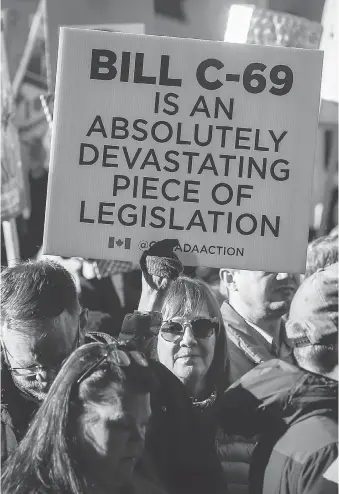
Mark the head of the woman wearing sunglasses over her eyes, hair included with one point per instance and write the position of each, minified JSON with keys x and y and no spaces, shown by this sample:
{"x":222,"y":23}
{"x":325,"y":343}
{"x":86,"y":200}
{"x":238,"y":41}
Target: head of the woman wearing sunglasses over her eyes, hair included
{"x":191,"y":340}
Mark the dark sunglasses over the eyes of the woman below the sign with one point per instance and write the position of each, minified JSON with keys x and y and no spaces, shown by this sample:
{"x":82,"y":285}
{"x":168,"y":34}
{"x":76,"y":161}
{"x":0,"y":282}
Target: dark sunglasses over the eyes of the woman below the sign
{"x":201,"y":327}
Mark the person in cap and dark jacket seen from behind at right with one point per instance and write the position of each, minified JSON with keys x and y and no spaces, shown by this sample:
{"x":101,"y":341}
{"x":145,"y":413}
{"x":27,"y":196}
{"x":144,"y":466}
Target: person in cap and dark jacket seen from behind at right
{"x":295,"y":408}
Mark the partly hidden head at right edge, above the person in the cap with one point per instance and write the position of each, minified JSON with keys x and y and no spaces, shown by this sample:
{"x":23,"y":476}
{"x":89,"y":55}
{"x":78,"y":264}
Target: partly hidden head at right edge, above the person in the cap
{"x":321,"y":252}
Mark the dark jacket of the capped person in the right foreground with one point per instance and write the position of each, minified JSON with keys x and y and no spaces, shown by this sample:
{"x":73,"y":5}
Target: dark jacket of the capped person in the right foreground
{"x":296,"y":413}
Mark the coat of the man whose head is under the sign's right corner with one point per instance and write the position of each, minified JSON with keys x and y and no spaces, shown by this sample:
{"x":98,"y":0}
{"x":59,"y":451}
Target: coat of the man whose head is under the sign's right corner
{"x":246,"y":347}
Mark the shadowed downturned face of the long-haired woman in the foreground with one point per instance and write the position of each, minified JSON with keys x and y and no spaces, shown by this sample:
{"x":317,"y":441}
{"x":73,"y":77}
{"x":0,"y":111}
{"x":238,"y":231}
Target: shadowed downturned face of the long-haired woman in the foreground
{"x":112,"y":435}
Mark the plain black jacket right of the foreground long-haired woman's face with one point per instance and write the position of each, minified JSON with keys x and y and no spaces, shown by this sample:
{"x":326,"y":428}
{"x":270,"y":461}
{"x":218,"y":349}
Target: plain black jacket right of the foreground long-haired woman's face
{"x":184,"y":461}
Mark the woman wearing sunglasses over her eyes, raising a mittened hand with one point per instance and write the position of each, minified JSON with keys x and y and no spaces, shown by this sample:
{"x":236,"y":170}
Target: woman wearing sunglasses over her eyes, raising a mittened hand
{"x":179,"y":324}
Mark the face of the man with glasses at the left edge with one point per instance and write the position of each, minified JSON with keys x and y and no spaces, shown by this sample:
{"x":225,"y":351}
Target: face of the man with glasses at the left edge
{"x":37,"y":357}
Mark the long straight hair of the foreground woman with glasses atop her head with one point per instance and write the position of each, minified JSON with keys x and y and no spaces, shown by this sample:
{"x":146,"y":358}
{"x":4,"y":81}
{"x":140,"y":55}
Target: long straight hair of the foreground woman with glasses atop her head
{"x":46,"y":459}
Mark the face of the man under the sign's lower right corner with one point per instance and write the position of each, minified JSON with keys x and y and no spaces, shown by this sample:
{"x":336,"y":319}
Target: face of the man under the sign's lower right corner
{"x":266,"y":294}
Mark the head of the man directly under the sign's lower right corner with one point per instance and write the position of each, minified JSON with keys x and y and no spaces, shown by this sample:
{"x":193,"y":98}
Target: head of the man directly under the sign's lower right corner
{"x":259,"y":295}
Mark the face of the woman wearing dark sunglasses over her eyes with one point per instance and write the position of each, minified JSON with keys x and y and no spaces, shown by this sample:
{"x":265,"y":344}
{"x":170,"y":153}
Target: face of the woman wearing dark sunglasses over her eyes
{"x":189,"y":358}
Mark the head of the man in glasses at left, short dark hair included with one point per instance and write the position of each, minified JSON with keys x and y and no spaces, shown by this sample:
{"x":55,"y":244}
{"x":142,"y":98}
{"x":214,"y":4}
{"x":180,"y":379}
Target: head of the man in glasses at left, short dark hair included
{"x":41,"y":323}
